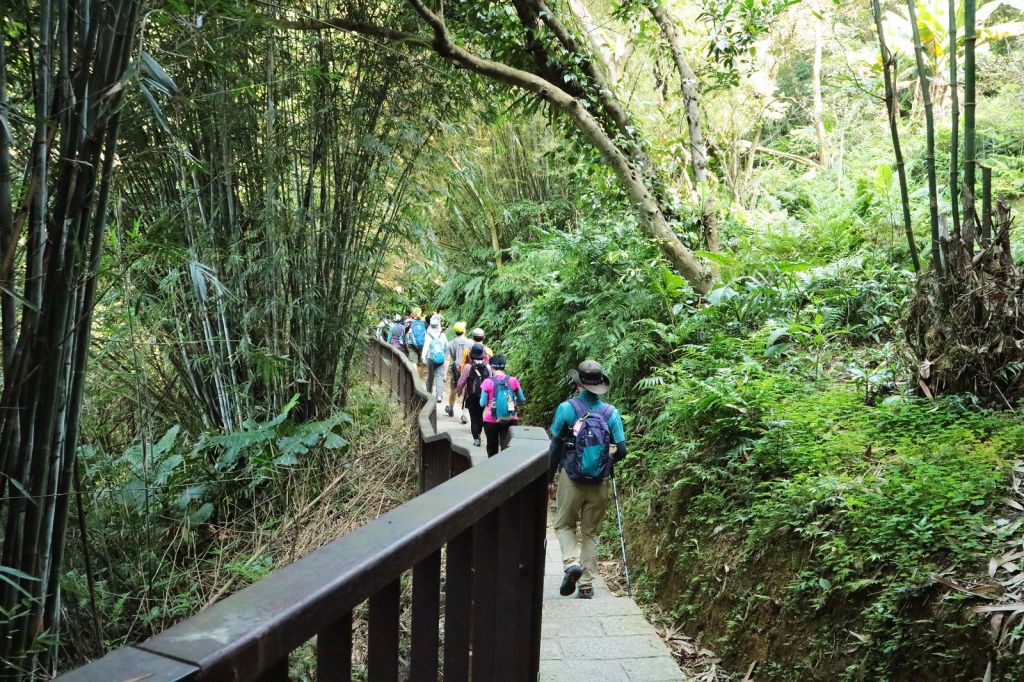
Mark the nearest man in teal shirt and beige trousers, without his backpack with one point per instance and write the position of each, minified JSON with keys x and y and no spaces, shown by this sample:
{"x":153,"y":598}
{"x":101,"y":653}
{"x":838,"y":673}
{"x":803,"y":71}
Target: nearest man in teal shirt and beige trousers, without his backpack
{"x":577,"y":503}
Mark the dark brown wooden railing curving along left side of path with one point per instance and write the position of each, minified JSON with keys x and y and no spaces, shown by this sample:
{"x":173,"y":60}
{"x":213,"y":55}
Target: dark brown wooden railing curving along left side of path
{"x":485,"y":529}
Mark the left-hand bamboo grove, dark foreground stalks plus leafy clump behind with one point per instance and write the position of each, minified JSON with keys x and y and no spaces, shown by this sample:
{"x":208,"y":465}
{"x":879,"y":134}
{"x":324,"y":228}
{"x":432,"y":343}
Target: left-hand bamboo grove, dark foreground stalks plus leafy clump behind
{"x":268,"y":184}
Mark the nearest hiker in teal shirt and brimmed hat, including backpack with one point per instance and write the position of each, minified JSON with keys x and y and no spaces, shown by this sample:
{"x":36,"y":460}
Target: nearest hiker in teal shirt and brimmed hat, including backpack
{"x":587,"y":439}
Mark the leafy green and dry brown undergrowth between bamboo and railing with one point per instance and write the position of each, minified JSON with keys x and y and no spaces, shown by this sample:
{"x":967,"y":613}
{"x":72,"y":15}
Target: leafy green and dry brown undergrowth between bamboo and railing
{"x":197,"y":518}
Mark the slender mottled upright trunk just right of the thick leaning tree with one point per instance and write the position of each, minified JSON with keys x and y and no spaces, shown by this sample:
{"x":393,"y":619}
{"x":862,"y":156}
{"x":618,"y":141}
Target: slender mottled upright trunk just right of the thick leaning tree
{"x":699,"y":149}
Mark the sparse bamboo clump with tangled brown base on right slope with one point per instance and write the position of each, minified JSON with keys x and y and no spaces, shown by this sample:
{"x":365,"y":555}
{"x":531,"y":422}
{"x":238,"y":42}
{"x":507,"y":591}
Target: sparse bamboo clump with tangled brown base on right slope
{"x":967,"y":310}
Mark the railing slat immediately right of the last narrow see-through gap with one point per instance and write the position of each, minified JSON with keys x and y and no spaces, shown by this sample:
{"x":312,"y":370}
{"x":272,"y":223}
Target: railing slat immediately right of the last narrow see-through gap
{"x":458,"y":604}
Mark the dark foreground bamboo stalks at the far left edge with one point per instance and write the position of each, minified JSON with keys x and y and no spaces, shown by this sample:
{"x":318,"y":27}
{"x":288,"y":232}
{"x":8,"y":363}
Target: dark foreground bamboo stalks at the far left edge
{"x":62,"y":89}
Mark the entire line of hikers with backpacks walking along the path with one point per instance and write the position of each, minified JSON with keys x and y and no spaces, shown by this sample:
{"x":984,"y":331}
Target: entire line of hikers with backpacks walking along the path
{"x":587,"y":435}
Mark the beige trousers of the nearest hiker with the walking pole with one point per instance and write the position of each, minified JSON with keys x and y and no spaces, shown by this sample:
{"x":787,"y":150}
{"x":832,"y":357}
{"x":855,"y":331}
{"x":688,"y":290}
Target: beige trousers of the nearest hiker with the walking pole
{"x":584,"y":505}
